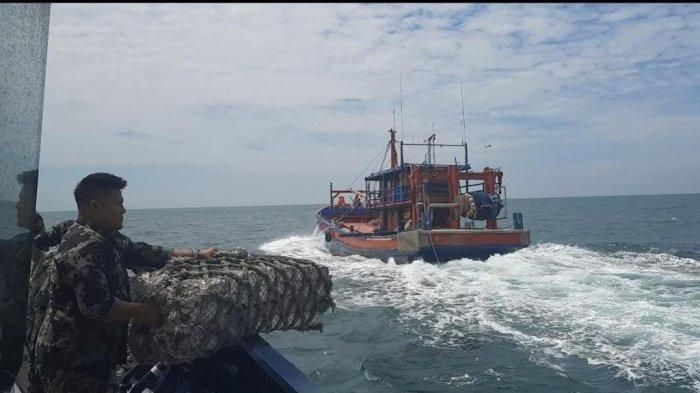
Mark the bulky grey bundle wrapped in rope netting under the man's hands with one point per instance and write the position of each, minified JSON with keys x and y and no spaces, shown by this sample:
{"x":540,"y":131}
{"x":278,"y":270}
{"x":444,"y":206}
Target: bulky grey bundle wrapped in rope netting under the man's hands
{"x":208,"y":305}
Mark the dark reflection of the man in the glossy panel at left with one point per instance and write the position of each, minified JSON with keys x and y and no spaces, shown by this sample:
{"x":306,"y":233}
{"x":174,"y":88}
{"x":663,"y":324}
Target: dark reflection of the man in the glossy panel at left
{"x":15,"y":257}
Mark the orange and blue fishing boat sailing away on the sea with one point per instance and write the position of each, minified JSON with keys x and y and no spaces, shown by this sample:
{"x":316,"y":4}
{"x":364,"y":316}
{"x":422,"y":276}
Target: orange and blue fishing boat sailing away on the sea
{"x":428,"y":211}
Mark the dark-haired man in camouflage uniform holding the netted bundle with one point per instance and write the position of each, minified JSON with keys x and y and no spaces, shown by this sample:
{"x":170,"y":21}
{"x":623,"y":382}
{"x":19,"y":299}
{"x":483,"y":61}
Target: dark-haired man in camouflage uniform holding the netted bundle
{"x":82,"y":335}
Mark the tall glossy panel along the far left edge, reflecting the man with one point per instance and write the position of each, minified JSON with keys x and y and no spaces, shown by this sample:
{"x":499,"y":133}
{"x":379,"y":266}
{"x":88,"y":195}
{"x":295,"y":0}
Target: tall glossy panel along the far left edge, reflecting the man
{"x":24,"y":34}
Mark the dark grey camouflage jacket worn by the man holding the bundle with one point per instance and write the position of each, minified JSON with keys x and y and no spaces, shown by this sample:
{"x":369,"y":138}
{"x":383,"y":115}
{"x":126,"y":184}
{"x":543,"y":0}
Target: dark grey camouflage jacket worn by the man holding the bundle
{"x":86,"y":273}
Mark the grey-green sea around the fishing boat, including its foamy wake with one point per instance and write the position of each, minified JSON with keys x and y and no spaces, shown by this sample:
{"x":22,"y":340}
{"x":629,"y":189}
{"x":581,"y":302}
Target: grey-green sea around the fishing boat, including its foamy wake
{"x":606,"y":299}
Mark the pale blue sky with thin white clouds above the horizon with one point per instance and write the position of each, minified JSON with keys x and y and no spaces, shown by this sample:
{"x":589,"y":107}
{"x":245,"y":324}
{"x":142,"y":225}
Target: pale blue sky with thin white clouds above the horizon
{"x":252,"y":104}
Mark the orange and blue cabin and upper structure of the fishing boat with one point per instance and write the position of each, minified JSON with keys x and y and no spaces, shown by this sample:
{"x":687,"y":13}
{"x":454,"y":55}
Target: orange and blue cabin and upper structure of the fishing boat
{"x":426,"y":196}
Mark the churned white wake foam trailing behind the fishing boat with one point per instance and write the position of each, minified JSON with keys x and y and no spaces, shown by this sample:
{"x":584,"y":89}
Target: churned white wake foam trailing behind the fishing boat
{"x":637,"y":312}
